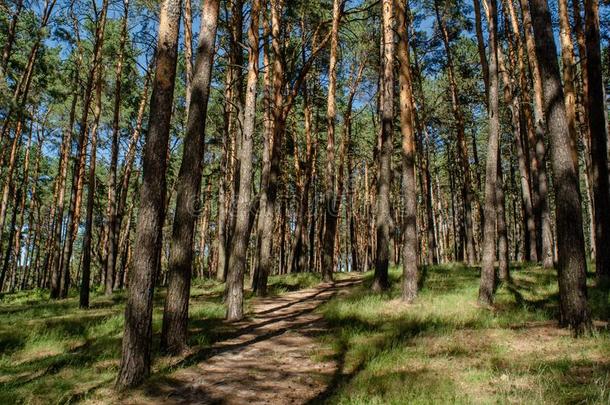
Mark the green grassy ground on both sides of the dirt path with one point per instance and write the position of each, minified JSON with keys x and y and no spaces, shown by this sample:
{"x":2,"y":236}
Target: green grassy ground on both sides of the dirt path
{"x":442,"y":349}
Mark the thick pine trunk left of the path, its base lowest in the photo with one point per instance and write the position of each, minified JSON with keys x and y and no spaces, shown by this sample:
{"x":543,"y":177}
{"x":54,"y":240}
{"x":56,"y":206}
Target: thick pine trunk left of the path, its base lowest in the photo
{"x":137,"y":337}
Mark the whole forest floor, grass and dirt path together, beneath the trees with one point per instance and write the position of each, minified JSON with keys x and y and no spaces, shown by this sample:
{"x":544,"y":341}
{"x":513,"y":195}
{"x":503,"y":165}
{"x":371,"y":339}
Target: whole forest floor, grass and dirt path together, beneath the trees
{"x":320,"y":343}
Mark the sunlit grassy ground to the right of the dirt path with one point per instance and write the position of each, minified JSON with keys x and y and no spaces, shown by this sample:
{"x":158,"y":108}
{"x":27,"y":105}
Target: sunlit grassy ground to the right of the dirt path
{"x":445,"y":349}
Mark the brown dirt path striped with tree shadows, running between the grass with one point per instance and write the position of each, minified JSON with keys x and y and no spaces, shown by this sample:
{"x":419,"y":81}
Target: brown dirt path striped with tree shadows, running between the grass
{"x":268,"y":361}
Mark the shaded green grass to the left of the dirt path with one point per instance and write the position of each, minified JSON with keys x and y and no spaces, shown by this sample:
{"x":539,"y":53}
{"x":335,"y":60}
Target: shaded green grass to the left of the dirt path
{"x":53,"y":352}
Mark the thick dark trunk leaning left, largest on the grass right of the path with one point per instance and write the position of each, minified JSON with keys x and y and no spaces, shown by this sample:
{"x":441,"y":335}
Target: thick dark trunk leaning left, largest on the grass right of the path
{"x":572,"y":266}
